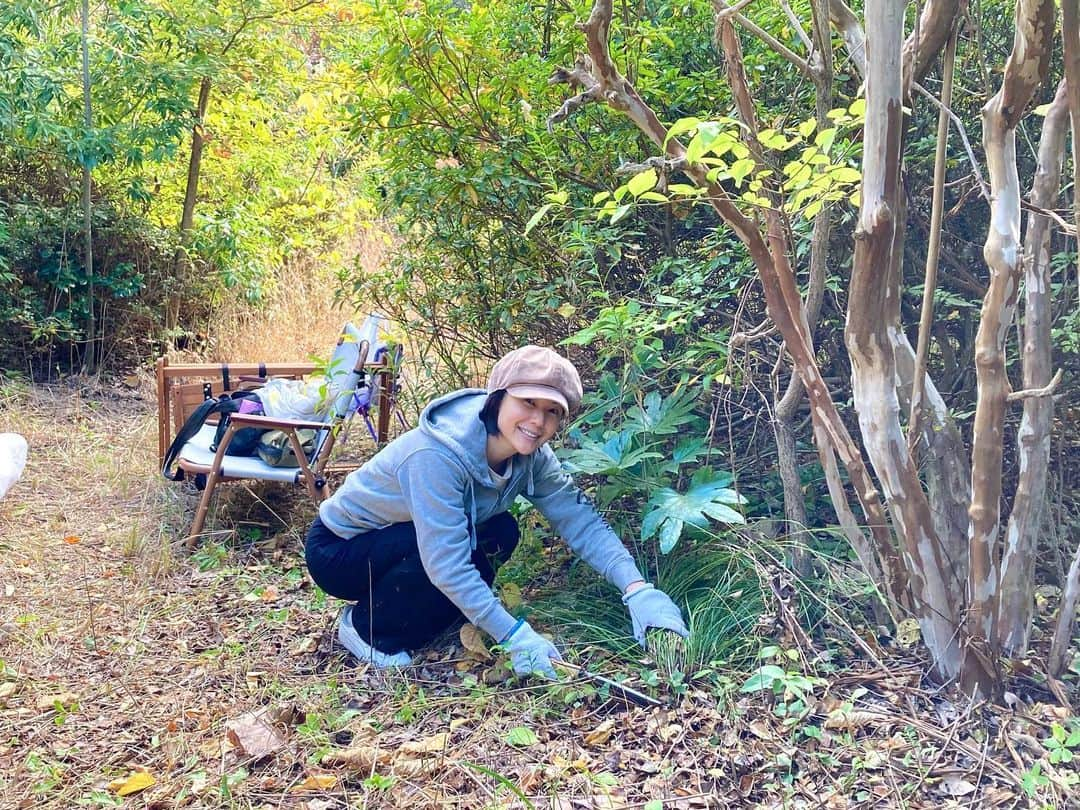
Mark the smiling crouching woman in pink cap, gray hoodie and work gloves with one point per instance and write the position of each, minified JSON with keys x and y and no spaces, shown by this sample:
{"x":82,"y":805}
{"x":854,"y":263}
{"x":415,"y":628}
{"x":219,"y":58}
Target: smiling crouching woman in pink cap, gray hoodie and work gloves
{"x":413,"y":538}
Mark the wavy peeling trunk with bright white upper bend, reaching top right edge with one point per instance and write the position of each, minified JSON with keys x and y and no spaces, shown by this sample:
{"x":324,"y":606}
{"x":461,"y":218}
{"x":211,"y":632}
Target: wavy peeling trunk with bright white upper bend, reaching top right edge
{"x":1024,"y":73}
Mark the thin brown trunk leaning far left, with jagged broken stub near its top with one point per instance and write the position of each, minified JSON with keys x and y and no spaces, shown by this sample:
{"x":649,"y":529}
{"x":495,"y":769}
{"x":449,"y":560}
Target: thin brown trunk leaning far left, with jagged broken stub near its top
{"x":600,"y":82}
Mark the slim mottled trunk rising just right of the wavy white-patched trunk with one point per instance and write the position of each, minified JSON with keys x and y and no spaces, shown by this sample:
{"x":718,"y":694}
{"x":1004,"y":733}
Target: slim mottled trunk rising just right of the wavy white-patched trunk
{"x":1022,"y":537}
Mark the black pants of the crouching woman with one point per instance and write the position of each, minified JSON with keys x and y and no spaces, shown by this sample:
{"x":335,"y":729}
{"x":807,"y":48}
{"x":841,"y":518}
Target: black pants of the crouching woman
{"x":398,"y":607}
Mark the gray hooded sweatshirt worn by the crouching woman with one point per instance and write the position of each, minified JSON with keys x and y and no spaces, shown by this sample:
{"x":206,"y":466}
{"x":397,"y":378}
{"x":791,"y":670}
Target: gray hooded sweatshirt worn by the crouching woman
{"x":438,"y":477}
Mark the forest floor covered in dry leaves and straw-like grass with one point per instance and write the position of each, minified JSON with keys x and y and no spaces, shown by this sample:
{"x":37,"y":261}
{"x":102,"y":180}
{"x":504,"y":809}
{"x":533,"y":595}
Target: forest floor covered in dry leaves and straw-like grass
{"x":136,"y":674}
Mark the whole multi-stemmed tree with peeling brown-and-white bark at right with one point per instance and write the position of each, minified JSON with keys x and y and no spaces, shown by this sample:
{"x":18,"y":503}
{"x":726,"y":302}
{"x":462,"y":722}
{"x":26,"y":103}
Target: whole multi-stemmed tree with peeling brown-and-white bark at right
{"x":964,"y":620}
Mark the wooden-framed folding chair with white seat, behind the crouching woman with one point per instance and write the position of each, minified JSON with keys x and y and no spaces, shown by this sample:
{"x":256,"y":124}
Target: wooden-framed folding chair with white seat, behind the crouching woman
{"x":349,"y":379}
